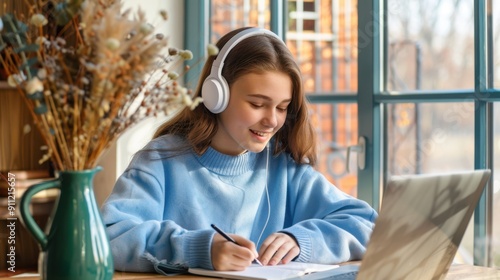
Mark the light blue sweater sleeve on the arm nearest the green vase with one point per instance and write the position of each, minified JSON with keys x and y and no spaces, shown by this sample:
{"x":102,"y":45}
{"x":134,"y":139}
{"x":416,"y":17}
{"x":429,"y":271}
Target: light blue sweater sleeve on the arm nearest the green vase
{"x":141,"y":240}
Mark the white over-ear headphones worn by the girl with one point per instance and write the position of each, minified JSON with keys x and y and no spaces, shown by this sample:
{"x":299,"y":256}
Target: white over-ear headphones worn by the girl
{"x":215,"y":90}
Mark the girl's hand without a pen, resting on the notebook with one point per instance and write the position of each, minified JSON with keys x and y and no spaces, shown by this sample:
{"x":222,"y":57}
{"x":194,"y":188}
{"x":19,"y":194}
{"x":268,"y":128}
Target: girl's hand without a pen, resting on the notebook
{"x":278,"y":247}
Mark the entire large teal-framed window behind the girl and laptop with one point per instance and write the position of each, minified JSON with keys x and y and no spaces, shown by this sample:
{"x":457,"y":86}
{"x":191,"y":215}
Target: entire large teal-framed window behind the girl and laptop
{"x":418,"y":79}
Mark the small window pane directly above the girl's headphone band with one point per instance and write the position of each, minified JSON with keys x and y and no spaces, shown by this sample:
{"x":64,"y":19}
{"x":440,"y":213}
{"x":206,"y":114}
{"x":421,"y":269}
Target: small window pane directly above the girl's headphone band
{"x":228,"y":15}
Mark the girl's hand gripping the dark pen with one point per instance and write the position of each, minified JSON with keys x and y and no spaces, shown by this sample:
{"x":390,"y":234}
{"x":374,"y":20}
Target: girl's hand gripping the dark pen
{"x":229,"y":256}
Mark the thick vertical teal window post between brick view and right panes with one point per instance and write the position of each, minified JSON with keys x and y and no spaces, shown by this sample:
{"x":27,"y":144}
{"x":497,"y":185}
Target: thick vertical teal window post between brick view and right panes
{"x":370,"y":18}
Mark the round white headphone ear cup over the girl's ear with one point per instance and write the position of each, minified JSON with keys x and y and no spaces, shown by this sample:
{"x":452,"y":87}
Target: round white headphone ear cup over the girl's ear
{"x":215,"y":94}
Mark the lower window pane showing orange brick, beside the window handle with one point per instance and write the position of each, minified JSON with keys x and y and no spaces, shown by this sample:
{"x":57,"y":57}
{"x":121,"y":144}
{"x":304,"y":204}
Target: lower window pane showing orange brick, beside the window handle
{"x":337,"y":128}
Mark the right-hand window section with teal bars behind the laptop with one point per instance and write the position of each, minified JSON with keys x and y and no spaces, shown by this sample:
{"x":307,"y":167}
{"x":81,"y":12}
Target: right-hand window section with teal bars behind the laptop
{"x":434,"y":70}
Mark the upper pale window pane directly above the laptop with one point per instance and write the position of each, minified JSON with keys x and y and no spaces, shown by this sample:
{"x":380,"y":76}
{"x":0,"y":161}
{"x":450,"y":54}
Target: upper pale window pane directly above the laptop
{"x":430,"y":45}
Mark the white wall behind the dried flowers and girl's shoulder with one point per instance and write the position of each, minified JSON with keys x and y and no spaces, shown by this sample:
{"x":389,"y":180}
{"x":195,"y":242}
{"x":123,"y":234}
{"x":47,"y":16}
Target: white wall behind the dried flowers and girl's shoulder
{"x":117,"y":158}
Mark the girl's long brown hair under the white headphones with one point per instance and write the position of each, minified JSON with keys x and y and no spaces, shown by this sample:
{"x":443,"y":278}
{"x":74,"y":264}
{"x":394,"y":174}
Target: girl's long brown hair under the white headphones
{"x":256,"y":54}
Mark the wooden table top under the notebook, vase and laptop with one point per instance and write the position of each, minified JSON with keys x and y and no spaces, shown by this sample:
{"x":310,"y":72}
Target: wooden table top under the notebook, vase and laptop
{"x":456,"y":272}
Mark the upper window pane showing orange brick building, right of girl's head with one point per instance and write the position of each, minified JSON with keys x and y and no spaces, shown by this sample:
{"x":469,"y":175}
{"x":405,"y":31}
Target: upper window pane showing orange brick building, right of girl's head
{"x":323,"y":37}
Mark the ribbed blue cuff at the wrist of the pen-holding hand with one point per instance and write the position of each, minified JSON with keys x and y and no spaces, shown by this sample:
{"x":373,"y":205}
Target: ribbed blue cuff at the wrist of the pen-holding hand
{"x":197,"y":247}
